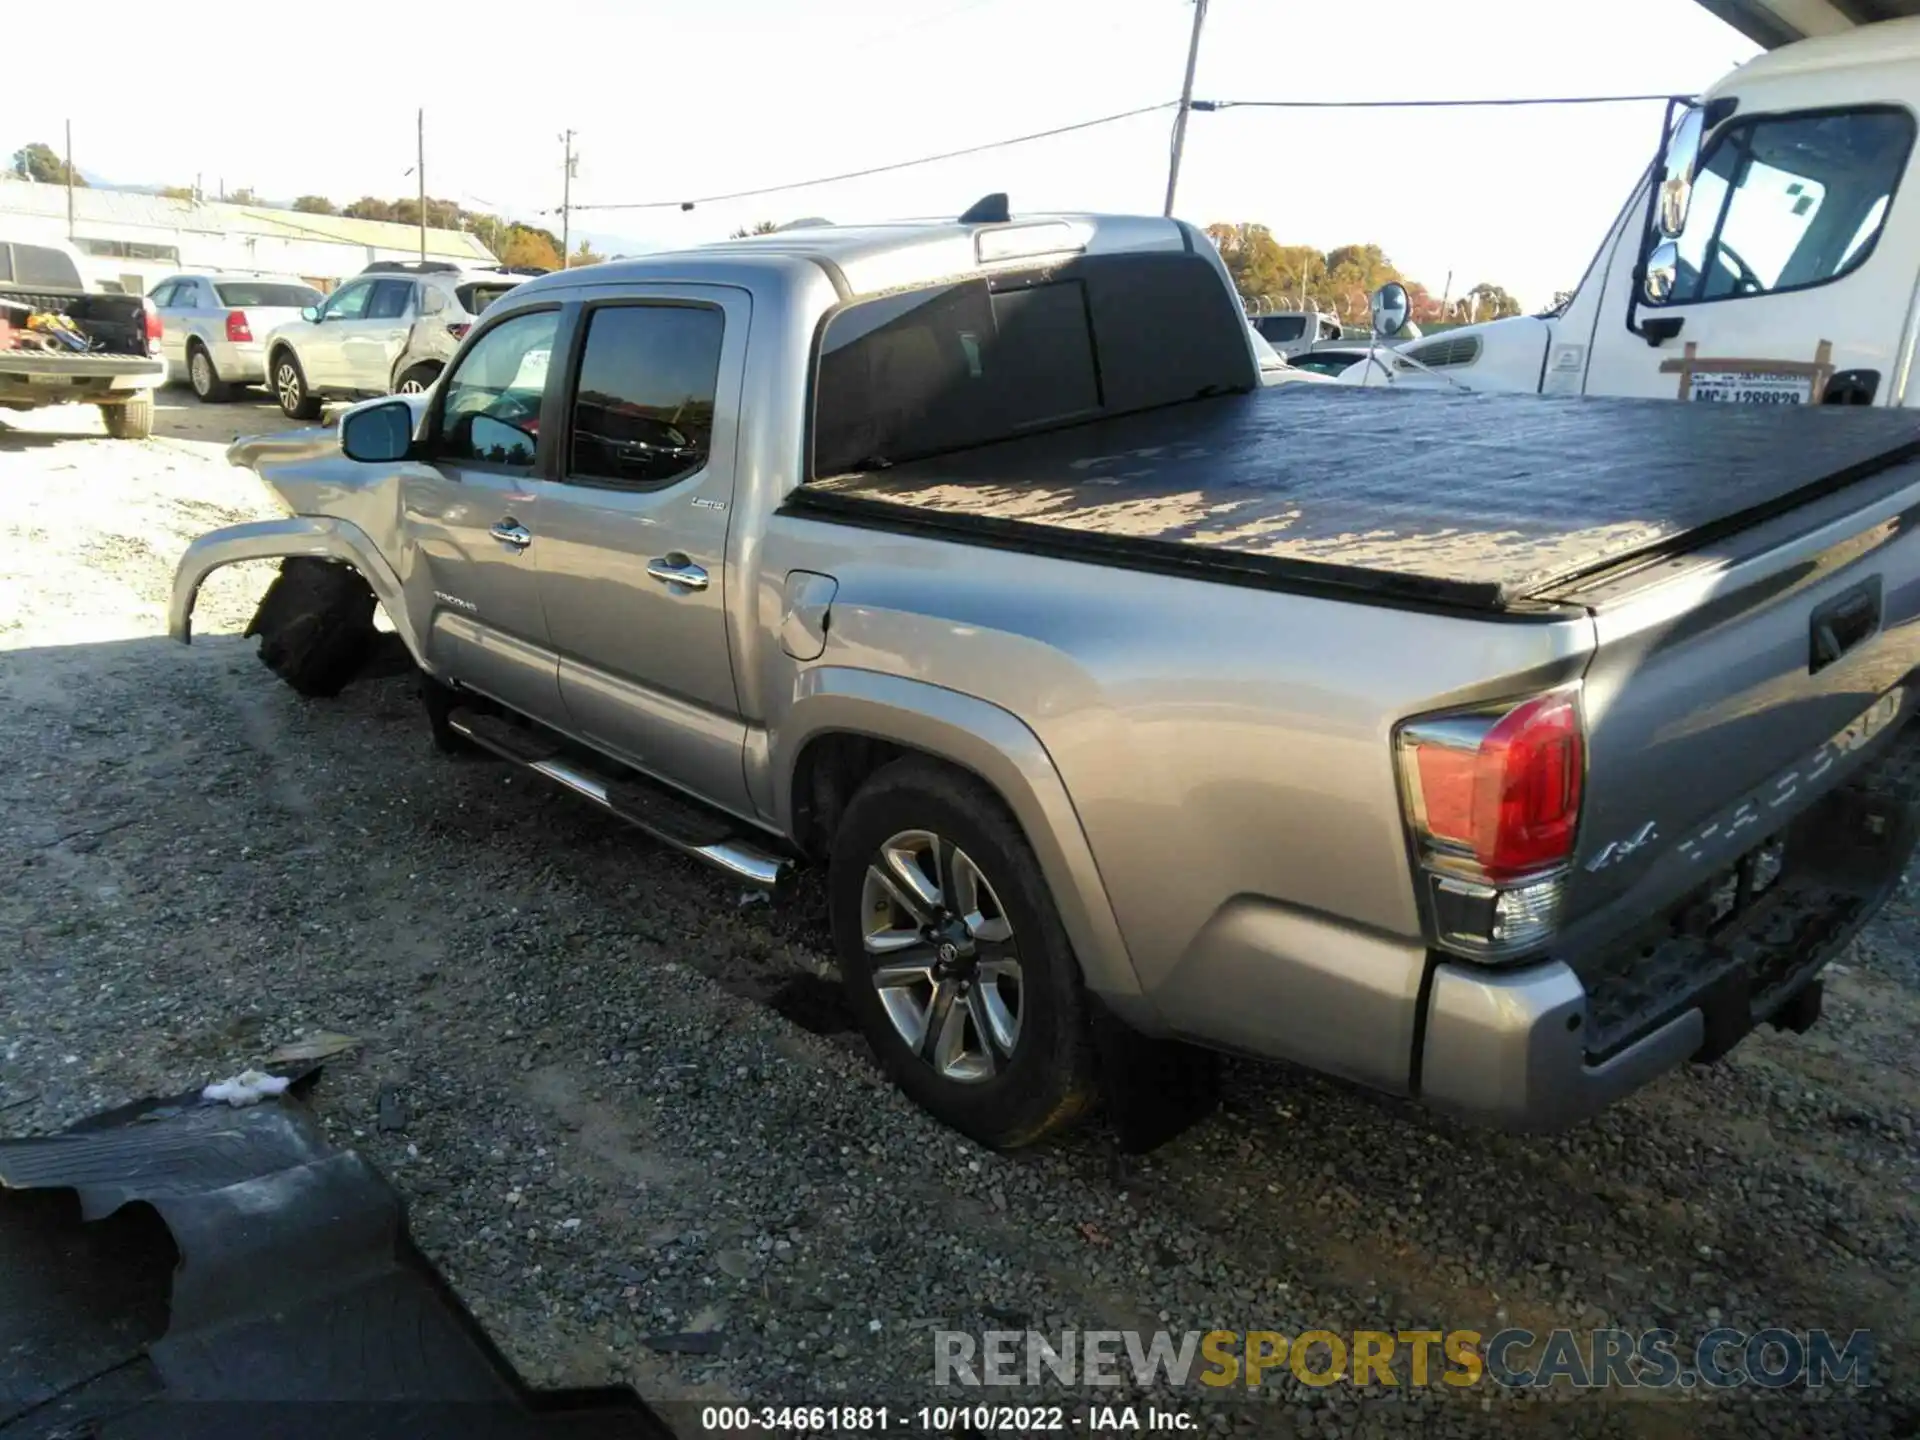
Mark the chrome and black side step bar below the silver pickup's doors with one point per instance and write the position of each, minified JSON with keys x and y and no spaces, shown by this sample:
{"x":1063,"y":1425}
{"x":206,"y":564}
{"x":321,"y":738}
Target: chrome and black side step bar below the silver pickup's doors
{"x":654,"y":809}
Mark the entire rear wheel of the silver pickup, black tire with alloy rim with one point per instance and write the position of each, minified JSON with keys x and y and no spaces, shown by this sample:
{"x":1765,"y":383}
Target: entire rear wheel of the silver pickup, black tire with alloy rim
{"x":963,"y":1072}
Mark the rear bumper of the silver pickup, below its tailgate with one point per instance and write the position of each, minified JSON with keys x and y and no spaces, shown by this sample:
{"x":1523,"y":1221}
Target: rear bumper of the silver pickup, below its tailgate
{"x":1547,"y":1045}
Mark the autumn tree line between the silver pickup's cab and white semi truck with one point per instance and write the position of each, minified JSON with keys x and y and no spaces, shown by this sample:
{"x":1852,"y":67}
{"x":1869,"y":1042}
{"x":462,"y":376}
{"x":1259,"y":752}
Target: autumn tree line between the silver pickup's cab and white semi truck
{"x":1339,"y":281}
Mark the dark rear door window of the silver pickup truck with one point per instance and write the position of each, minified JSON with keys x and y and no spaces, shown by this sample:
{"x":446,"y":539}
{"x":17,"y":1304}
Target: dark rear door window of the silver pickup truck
{"x":644,"y":410}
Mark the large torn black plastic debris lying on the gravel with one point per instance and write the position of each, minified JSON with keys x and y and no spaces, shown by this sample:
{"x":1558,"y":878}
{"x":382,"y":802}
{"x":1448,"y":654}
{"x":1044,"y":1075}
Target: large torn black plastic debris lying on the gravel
{"x":176,"y":1270}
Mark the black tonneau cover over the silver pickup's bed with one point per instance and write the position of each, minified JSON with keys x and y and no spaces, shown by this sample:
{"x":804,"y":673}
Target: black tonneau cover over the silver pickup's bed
{"x":1443,"y":496}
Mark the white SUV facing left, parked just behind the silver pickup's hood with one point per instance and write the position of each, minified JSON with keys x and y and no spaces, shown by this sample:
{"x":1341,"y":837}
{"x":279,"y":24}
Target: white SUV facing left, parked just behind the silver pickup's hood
{"x":387,"y":331}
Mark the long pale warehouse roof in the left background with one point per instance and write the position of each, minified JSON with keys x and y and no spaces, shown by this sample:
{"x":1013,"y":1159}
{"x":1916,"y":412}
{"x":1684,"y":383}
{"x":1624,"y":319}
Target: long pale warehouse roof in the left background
{"x":216,"y":218}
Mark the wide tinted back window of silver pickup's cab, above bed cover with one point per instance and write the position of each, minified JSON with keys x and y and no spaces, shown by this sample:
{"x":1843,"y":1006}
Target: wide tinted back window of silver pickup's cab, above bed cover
{"x":959,"y":366}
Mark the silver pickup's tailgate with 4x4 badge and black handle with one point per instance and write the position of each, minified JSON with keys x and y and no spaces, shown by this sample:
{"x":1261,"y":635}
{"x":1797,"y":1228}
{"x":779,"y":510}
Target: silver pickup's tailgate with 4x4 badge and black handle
{"x":1733,"y":690}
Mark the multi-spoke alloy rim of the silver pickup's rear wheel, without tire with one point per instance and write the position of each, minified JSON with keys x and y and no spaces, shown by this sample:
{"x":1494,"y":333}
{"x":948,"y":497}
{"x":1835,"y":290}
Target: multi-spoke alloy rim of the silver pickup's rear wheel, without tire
{"x":944,"y":955}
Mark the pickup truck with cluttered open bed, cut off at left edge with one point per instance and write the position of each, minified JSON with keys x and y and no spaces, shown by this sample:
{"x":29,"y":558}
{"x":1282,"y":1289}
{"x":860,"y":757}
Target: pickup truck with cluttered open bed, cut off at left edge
{"x":118,"y":372}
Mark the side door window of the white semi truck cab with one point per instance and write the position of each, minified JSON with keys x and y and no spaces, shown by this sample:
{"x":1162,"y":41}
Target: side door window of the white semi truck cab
{"x":1788,"y":203}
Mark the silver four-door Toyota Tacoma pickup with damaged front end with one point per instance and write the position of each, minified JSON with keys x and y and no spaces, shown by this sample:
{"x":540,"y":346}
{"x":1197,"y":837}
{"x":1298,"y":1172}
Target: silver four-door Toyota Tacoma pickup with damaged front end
{"x":1493,"y":752}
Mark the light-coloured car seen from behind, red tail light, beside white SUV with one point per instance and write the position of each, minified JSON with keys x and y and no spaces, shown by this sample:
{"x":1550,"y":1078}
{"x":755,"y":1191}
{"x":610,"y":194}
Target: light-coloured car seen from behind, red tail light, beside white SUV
{"x":218,"y":325}
